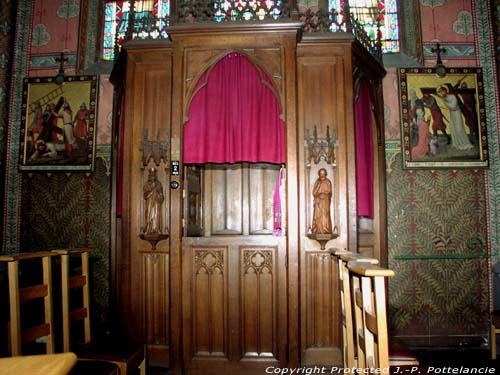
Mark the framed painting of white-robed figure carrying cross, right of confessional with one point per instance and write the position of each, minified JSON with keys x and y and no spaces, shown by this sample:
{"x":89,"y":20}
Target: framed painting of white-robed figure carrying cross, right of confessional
{"x":443,"y":121}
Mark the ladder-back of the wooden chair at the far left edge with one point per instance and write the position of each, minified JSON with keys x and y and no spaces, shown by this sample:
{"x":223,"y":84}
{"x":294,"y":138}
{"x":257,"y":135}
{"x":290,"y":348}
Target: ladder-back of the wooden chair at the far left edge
{"x":19,"y":296}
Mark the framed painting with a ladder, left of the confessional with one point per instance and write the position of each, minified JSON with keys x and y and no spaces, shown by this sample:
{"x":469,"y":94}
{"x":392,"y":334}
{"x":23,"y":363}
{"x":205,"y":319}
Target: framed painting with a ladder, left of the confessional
{"x":58,"y":129}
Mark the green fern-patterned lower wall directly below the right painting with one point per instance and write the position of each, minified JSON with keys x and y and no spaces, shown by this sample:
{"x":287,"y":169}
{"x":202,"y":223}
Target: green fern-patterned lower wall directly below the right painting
{"x":437,"y":242}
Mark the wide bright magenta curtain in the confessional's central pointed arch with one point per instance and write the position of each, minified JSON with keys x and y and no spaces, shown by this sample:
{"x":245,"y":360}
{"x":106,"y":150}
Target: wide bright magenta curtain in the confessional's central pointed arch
{"x":234,"y":117}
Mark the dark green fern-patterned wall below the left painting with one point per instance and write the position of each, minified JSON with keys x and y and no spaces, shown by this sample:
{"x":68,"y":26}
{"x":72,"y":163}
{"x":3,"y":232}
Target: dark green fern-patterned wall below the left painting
{"x":70,"y":210}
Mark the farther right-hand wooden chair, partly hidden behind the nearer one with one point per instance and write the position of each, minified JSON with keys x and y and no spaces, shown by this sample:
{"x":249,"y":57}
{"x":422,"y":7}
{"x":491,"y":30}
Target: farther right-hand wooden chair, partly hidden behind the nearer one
{"x":348,"y":340}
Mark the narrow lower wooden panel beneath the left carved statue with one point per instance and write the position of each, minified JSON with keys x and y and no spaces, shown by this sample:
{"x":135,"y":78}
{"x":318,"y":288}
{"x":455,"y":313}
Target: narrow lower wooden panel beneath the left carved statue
{"x":155,"y":296}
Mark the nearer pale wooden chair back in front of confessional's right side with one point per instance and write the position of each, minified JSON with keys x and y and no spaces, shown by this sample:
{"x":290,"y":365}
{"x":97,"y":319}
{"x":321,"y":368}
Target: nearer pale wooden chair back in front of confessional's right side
{"x":368,"y":291}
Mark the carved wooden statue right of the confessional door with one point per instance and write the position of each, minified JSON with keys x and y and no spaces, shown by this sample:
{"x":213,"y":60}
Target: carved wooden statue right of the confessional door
{"x":322,"y":193}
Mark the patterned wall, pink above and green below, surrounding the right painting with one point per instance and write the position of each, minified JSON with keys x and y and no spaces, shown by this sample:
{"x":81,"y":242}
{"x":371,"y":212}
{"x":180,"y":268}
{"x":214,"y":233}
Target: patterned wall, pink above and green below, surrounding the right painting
{"x":438,"y":219}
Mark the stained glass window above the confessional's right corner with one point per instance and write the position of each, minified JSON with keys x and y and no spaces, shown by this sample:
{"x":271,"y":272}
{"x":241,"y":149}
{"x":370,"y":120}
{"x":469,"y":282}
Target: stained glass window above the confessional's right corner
{"x":368,"y":12}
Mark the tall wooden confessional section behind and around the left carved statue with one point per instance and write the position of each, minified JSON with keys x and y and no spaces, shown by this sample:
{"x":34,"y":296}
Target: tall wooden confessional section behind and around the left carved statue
{"x":143,"y":281}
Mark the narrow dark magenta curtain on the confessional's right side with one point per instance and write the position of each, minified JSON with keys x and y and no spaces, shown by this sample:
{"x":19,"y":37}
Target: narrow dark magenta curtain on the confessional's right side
{"x":364,"y":151}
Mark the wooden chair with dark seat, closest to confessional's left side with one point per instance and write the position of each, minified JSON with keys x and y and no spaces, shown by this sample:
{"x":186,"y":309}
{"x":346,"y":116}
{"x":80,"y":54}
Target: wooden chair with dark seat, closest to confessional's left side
{"x":128,"y":356}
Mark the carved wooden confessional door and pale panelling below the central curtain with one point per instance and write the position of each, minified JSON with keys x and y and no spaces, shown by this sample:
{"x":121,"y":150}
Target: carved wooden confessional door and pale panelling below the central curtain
{"x":234,"y":270}
